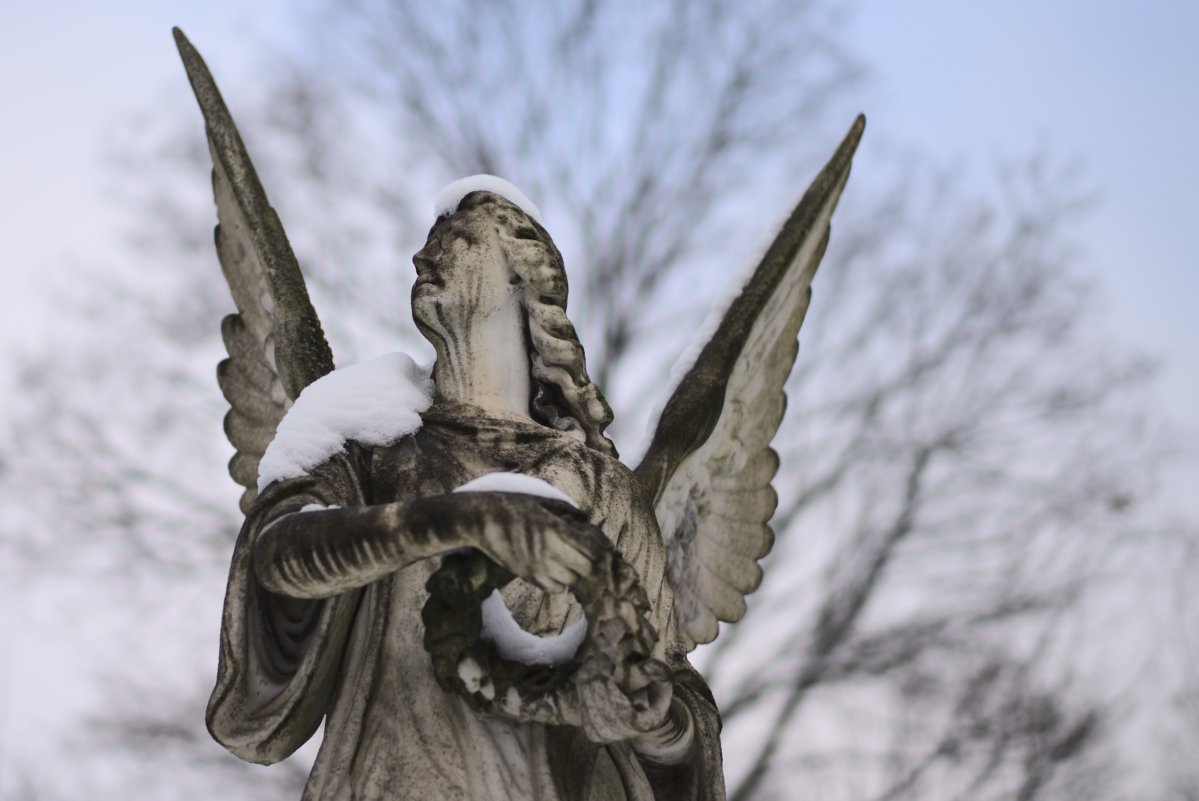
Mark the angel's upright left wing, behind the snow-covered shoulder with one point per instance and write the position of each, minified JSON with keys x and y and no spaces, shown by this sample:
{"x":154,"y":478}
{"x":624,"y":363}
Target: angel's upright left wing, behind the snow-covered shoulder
{"x":275,"y":341}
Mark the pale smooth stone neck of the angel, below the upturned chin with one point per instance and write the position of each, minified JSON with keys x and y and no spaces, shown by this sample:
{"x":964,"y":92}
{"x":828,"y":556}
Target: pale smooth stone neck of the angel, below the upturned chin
{"x":486,"y":365}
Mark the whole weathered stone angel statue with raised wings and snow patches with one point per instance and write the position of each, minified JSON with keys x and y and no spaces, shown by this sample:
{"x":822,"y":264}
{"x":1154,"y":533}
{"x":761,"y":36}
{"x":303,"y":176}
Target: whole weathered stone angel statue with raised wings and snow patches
{"x":449,"y":568}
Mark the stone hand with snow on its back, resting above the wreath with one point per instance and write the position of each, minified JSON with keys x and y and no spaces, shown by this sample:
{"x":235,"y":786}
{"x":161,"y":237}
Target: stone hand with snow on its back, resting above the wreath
{"x":541,"y":540}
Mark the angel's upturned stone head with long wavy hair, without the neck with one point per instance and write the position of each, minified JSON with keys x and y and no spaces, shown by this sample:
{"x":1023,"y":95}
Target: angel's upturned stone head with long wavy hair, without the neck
{"x":490,"y":252}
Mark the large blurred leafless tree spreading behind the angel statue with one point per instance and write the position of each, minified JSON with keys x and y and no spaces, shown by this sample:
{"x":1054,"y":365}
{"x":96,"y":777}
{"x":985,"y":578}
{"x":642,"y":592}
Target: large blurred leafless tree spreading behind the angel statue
{"x":959,"y":453}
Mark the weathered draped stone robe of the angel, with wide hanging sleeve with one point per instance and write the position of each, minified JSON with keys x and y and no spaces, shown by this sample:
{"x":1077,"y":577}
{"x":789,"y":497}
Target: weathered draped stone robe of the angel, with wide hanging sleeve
{"x":357,"y":661}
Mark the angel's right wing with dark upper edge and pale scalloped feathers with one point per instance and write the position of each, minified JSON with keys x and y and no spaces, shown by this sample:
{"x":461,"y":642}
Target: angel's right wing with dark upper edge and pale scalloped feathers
{"x":709,"y":467}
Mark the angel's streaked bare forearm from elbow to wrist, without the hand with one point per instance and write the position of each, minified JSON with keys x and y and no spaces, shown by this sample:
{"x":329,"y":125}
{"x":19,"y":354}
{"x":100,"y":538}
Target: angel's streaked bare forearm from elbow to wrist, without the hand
{"x":321,"y":553}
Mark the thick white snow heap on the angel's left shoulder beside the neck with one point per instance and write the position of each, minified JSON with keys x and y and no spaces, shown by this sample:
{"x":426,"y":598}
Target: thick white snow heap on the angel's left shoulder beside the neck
{"x":375,"y":402}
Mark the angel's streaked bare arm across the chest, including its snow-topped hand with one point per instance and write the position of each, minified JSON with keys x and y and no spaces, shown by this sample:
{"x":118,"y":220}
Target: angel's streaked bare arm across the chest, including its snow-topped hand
{"x":323,"y":553}
